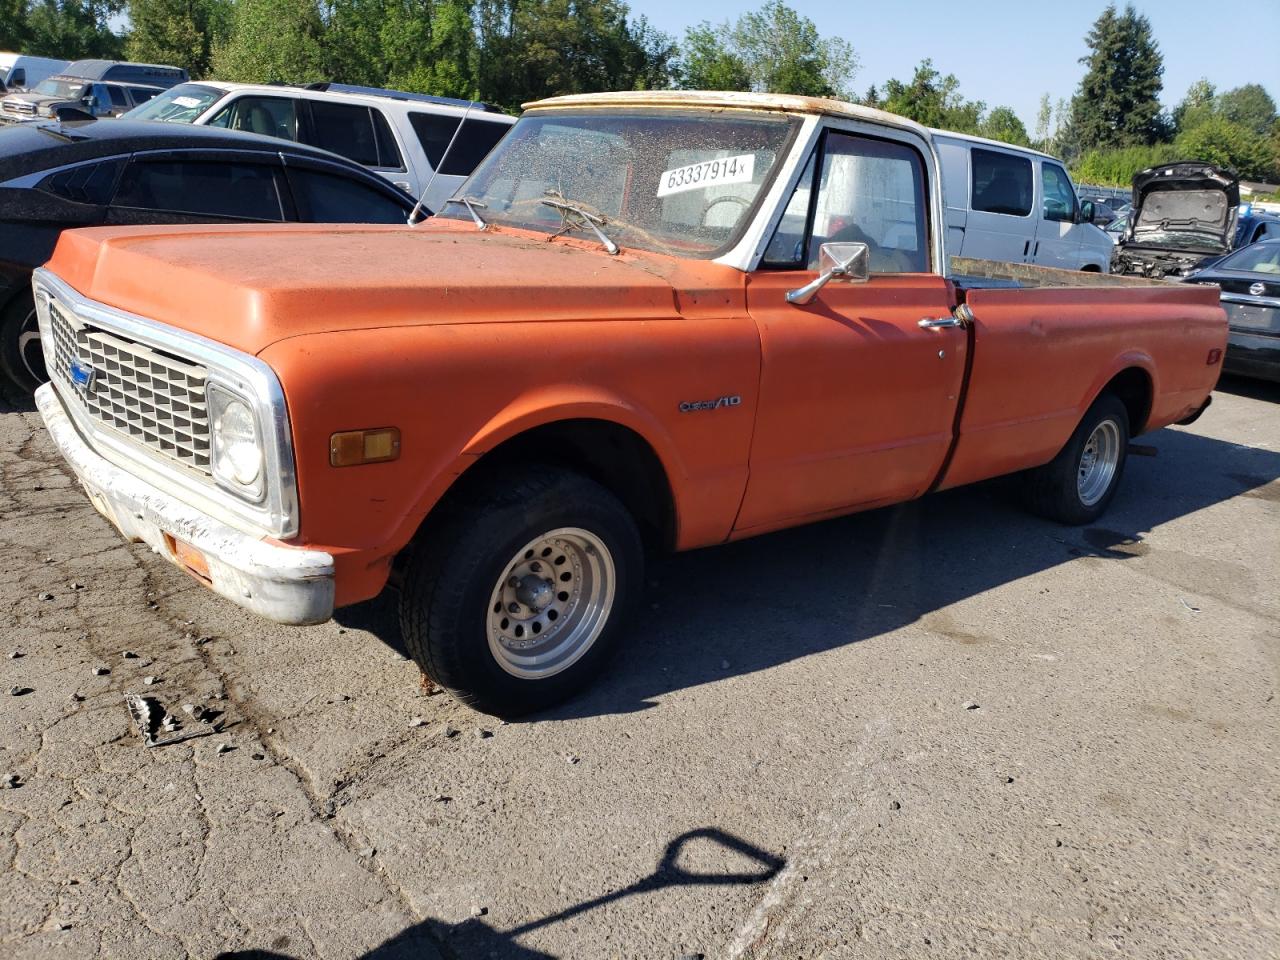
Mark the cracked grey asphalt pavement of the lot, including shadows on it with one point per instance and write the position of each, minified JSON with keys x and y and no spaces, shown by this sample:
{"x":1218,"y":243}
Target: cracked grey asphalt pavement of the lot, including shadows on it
{"x":939,"y":730}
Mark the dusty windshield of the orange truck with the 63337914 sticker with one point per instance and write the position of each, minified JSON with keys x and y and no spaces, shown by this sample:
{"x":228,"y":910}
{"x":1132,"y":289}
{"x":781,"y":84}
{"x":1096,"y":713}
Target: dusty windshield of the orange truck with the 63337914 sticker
{"x":682,"y":184}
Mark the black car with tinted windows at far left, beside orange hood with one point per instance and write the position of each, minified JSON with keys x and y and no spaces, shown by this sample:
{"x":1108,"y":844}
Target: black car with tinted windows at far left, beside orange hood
{"x":58,"y":176}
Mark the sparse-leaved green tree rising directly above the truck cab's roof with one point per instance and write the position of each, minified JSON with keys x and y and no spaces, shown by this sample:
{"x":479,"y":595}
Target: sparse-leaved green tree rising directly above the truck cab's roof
{"x":772,"y":51}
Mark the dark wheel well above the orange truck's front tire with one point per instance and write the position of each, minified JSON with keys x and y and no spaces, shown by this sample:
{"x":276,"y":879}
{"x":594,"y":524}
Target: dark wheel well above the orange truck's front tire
{"x":614,"y":456}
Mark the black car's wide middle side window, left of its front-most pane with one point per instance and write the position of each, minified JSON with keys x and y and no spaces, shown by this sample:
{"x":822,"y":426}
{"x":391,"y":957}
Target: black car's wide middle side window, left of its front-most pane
{"x":245,"y":191}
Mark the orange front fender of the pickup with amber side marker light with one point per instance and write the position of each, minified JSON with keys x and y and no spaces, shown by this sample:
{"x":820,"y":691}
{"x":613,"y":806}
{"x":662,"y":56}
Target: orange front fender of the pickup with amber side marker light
{"x":459,"y":391}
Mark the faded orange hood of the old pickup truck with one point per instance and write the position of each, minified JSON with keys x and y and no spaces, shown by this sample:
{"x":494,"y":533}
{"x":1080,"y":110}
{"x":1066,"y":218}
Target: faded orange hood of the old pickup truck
{"x":249,"y":287}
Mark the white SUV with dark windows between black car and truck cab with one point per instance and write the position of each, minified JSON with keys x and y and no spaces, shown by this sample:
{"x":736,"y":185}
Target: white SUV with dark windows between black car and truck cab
{"x":401,"y":136}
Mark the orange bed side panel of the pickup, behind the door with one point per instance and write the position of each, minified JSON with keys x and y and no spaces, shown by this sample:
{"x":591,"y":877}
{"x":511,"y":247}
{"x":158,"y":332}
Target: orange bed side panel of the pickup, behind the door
{"x":1043,"y":356}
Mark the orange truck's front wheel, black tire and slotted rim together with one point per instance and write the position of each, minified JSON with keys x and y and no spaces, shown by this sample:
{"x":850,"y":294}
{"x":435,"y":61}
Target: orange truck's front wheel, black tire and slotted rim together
{"x":519,"y":593}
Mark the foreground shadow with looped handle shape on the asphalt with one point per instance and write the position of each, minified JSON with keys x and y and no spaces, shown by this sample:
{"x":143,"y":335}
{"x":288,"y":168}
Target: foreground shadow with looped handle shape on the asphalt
{"x":748,"y":865}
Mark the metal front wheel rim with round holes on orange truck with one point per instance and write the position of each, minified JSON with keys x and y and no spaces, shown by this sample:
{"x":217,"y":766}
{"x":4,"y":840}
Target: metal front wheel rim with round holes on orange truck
{"x":551,"y":604}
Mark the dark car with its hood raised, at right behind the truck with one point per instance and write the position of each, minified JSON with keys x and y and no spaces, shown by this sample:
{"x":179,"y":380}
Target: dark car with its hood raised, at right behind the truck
{"x":1182,"y":214}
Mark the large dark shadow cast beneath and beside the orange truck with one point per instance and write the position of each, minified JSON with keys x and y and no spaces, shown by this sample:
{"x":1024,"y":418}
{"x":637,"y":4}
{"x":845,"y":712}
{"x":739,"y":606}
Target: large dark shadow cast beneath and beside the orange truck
{"x":760,"y":604}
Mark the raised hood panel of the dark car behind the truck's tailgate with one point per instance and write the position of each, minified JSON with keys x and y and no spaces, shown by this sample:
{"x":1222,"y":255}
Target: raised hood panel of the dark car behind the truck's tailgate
{"x":1188,"y":208}
